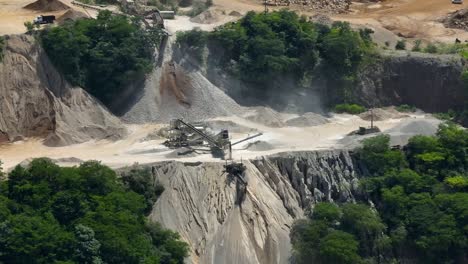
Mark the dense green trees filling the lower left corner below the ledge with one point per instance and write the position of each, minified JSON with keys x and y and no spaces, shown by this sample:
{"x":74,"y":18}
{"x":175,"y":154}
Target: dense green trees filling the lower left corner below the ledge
{"x":50,"y":214}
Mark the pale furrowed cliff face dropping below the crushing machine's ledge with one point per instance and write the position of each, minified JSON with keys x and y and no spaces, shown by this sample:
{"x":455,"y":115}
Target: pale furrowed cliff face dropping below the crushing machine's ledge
{"x":224,"y":224}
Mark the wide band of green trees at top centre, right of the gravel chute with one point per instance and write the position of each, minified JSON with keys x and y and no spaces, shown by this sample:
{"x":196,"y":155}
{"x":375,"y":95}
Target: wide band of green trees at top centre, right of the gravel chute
{"x":265,"y":49}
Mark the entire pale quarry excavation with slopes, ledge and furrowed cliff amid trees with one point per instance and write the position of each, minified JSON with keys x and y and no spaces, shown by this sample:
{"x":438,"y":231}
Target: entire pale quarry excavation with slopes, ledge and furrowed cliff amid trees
{"x":299,"y":158}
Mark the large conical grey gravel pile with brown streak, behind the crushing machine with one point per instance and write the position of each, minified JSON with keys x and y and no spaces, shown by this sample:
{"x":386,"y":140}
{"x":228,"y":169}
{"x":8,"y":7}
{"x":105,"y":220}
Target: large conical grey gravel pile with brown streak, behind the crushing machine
{"x":178,"y":92}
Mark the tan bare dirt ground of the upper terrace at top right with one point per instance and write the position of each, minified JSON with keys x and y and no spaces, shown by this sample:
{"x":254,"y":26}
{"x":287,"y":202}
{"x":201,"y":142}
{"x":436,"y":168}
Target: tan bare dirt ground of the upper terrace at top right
{"x":413,"y":19}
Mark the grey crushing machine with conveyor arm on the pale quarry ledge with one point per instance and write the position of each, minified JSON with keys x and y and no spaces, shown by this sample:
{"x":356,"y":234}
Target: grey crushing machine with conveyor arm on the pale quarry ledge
{"x":197,"y":138}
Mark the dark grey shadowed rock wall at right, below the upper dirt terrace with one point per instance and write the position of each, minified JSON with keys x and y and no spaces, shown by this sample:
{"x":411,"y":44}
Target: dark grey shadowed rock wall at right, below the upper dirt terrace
{"x":427,"y":81}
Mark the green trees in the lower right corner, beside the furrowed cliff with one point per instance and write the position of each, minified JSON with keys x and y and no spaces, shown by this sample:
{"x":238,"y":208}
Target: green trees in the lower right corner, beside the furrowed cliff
{"x":421,"y":200}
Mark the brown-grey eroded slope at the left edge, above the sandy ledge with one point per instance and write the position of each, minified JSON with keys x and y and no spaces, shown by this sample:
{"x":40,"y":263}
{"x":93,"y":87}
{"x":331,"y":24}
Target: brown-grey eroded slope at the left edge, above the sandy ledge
{"x":36,"y":101}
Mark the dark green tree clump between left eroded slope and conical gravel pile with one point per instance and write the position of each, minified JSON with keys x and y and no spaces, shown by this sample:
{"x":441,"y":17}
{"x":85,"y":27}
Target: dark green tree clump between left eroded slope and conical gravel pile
{"x":102,"y":55}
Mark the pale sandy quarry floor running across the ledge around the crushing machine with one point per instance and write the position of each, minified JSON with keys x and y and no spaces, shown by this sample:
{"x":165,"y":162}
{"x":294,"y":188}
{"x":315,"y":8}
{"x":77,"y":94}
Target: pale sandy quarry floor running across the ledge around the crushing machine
{"x":135,"y":149}
